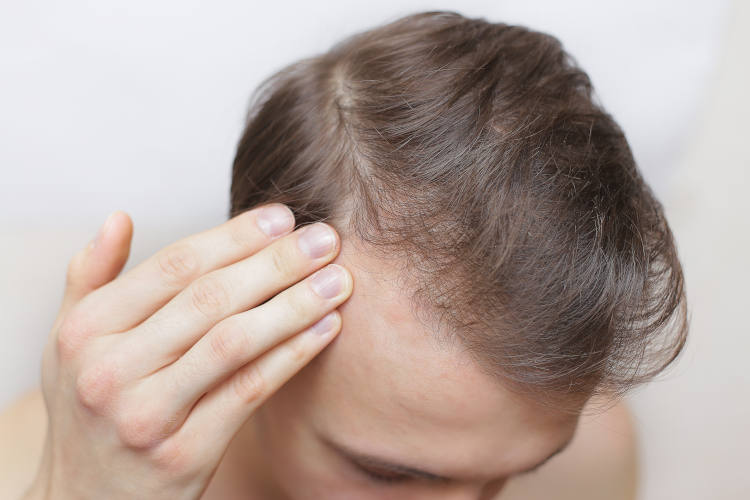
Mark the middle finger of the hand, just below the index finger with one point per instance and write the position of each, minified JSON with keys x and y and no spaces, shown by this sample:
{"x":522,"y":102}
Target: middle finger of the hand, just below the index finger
{"x":174,"y":328}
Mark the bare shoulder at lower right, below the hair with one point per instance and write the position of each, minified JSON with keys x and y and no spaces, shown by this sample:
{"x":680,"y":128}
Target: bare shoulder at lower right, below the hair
{"x":601,"y":462}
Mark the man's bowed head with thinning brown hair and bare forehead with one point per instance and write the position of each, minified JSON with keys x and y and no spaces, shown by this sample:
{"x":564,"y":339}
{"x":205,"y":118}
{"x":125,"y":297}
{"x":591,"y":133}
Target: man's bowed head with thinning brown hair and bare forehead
{"x":471,"y":160}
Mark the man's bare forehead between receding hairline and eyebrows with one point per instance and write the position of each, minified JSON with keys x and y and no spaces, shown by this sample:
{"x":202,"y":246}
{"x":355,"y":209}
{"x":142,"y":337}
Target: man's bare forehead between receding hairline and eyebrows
{"x":386,"y":382}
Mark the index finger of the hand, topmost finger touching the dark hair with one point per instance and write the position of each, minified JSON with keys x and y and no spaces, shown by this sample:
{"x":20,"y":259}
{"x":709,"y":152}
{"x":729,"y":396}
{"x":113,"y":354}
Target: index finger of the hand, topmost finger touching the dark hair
{"x":137,"y":294}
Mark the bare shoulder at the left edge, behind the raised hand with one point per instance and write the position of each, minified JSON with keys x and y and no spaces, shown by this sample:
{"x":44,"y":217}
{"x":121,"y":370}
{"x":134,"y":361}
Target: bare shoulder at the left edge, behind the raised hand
{"x":23,"y":425}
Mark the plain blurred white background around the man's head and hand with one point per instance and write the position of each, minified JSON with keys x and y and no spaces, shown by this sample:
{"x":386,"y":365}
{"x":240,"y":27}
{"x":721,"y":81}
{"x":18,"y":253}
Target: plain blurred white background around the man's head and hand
{"x":138,"y":106}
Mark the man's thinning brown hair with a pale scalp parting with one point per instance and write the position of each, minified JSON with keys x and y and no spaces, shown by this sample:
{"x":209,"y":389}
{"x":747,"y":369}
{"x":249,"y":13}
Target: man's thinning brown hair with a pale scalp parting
{"x":477,"y":156}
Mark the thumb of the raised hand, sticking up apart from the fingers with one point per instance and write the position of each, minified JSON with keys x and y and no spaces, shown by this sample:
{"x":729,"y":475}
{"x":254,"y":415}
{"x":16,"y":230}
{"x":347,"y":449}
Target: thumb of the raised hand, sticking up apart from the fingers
{"x":101,"y":261}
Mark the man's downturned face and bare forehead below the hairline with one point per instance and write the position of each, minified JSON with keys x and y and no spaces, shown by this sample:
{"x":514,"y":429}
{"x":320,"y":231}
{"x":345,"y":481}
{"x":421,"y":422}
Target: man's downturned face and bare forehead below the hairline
{"x":385,"y":393}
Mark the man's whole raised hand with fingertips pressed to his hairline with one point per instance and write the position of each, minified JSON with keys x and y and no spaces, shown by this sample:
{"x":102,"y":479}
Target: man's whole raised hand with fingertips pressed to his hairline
{"x":147,"y":376}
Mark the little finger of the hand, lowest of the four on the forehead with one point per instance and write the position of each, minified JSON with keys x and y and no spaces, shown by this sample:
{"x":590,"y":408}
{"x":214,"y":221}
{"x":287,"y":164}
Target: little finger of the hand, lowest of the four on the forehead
{"x":226,"y":407}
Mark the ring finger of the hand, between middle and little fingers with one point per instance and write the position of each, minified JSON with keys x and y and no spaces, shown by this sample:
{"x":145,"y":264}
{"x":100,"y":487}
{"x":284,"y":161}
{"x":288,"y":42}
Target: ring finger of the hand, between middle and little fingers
{"x":243,"y":337}
